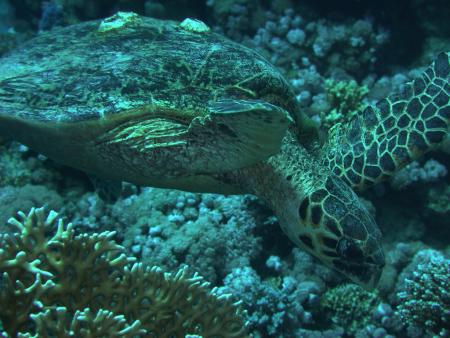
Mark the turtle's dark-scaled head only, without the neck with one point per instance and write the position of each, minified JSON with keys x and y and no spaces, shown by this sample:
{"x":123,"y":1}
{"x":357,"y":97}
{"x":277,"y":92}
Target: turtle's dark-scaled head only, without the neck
{"x":338,"y":229}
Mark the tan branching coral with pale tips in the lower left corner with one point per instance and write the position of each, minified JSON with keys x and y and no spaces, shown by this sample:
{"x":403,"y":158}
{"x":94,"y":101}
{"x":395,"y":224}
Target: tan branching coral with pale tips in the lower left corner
{"x":57,"y":283}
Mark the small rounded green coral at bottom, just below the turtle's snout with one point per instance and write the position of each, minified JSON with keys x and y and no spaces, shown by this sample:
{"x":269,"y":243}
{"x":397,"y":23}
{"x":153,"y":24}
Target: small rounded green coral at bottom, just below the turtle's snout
{"x":350,"y":306}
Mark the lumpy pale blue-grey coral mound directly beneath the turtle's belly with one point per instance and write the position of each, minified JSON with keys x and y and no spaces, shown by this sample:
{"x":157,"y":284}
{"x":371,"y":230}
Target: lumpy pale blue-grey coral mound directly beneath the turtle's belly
{"x":211,"y":233}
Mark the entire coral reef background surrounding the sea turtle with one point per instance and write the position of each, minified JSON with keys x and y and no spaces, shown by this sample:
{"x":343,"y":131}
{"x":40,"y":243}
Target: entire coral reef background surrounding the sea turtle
{"x":338,"y":56}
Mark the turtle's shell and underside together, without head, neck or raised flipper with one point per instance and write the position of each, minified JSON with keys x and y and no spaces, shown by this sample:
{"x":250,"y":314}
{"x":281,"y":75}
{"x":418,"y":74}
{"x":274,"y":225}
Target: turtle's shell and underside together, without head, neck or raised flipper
{"x":152,"y":98}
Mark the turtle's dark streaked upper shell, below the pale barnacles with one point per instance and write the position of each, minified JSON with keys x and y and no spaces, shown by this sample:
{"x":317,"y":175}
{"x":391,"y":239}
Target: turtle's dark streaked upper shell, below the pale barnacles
{"x":82,"y":74}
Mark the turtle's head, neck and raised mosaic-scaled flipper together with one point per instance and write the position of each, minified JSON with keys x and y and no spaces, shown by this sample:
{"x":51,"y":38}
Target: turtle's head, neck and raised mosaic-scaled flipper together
{"x":317,"y":208}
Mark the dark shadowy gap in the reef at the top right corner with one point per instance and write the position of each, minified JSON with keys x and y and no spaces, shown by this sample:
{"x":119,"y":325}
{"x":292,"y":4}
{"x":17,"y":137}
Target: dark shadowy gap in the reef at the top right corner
{"x":409,"y":24}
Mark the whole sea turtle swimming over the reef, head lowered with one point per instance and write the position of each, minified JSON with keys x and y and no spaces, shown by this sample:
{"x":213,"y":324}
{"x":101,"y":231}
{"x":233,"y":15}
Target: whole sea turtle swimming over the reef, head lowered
{"x":174,"y":105}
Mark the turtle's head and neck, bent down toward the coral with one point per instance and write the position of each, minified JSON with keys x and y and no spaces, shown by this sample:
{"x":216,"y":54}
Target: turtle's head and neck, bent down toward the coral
{"x":316,"y":210}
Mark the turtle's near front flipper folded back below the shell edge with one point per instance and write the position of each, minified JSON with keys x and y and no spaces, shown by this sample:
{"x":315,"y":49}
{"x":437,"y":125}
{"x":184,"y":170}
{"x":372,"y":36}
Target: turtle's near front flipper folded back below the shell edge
{"x":232,"y":135}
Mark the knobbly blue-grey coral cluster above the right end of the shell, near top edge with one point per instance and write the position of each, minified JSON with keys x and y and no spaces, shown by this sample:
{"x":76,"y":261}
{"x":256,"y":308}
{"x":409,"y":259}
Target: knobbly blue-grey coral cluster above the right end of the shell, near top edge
{"x":290,"y":39}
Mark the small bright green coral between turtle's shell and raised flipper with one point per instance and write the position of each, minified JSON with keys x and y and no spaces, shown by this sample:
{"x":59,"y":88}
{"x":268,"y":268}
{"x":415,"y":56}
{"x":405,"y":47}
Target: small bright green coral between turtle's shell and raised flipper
{"x":345,"y":99}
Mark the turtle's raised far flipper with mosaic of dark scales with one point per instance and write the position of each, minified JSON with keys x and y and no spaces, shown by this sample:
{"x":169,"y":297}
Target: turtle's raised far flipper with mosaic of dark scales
{"x":398,"y":129}
